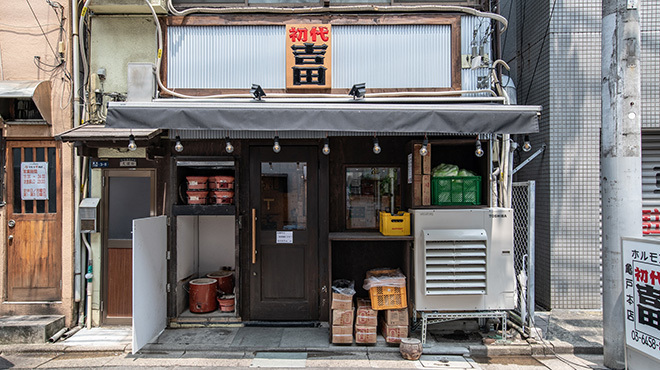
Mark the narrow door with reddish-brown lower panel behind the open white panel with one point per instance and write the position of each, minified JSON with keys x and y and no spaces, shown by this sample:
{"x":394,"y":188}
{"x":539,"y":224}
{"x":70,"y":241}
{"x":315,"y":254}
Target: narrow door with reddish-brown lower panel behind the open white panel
{"x":128,"y":195}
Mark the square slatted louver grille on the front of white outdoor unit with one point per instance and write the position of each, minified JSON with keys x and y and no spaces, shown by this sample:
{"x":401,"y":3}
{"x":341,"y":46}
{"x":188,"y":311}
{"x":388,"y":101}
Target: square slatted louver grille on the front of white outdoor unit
{"x":455,"y":262}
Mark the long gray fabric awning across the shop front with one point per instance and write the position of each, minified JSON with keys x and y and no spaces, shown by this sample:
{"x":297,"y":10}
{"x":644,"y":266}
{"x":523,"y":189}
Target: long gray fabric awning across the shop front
{"x":326,"y":118}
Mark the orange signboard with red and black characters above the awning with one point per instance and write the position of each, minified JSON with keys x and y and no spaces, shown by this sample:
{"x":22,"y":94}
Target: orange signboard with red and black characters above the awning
{"x":308,"y":56}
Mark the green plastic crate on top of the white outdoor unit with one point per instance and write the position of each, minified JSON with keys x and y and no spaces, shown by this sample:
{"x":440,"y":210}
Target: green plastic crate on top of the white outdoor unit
{"x":452,"y":191}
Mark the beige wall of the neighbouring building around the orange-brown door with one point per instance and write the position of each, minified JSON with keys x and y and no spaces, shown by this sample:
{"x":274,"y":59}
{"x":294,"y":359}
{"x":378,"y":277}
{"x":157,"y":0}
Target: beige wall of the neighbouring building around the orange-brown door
{"x":21,"y":39}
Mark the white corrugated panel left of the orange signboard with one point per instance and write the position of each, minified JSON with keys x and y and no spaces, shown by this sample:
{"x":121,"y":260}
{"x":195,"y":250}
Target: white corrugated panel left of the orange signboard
{"x":226,"y":57}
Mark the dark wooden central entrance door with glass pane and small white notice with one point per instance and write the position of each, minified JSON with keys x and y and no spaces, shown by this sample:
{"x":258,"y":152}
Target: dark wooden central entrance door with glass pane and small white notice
{"x":284,"y":276}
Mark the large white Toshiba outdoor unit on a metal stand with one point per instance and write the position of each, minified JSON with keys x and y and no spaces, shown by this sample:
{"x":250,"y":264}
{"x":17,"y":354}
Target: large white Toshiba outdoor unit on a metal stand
{"x":463,"y":259}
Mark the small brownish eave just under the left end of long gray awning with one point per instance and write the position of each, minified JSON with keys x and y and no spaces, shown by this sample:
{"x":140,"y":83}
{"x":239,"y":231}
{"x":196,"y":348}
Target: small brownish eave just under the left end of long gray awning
{"x":89,"y":132}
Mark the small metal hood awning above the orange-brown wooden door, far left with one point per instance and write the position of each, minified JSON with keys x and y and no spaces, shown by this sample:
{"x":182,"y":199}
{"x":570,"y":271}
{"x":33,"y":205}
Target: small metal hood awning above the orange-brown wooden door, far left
{"x":25,"y":102}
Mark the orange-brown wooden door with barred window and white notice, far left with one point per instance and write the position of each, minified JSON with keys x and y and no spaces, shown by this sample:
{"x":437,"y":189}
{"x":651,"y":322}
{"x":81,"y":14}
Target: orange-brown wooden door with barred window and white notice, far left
{"x":34,"y":221}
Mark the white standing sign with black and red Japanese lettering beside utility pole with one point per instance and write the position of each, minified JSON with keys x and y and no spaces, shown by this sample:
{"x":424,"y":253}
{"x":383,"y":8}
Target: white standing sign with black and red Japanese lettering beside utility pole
{"x":641,"y":296}
